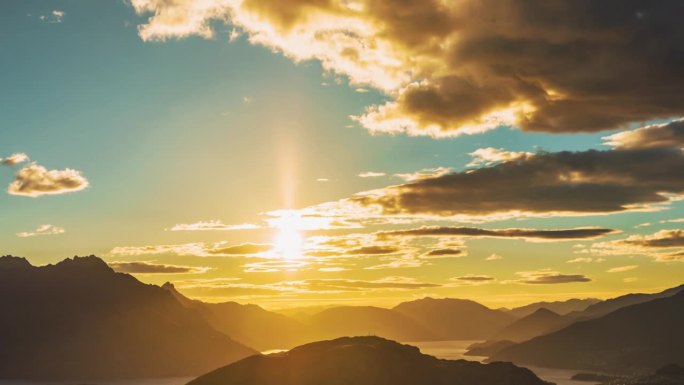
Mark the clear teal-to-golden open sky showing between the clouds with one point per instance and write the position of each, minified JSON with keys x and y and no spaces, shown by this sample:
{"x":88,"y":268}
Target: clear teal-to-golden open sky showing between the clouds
{"x":196,"y":129}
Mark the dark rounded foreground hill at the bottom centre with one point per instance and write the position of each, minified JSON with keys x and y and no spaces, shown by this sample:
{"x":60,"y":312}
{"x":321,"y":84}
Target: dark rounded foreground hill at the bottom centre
{"x":364,"y":361}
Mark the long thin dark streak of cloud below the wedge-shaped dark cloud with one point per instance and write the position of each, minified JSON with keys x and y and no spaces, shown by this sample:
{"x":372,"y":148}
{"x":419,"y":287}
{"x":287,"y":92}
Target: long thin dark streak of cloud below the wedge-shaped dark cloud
{"x":529,"y":234}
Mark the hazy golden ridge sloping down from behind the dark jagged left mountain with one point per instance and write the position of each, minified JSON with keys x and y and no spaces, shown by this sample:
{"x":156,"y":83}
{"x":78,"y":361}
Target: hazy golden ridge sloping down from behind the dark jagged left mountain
{"x":249,"y":324}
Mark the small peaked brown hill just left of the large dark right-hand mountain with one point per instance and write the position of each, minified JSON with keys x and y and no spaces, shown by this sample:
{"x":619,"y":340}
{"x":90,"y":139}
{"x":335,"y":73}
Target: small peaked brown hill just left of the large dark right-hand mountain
{"x":538,"y":323}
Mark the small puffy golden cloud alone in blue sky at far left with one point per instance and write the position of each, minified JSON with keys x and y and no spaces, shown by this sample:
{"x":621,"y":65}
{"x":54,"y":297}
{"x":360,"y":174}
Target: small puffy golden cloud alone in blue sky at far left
{"x":34,"y":180}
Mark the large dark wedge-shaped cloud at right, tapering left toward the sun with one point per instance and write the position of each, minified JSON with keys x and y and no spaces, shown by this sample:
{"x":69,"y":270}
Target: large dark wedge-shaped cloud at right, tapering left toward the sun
{"x":564,"y":182}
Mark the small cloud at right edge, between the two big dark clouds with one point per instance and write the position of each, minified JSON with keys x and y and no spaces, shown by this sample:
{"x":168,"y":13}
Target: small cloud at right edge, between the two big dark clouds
{"x":668,"y":135}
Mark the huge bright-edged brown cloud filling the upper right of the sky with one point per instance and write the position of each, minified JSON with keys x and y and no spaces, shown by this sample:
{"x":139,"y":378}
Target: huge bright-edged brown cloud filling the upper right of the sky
{"x":467,"y":66}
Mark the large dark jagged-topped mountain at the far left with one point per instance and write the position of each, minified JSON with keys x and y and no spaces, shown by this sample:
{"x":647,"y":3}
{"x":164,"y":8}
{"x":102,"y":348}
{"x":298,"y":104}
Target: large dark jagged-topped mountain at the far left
{"x":78,"y":319}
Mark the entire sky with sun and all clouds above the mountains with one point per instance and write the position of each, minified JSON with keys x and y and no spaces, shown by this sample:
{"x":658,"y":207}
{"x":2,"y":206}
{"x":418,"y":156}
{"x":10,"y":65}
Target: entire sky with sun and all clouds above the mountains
{"x":299,"y":153}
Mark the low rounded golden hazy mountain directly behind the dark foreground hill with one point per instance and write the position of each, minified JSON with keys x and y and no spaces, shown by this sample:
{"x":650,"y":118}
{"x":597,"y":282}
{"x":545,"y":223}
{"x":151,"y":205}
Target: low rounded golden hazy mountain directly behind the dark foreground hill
{"x":368,"y":320}
